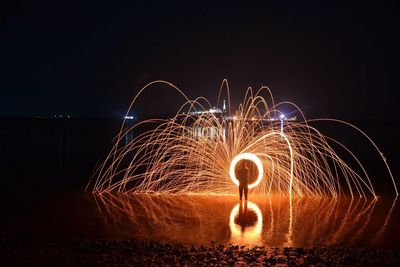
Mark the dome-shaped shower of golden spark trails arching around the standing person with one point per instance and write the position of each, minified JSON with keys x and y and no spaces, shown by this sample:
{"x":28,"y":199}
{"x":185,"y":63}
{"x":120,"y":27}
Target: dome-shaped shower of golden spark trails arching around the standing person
{"x":173,"y":157}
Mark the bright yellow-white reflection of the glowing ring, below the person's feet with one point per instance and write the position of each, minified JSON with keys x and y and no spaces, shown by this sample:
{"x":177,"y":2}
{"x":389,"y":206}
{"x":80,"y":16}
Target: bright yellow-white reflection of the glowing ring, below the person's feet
{"x":249,"y":234}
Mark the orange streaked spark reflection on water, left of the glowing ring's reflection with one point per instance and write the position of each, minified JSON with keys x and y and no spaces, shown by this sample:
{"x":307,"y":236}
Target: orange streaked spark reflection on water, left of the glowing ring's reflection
{"x":167,"y":217}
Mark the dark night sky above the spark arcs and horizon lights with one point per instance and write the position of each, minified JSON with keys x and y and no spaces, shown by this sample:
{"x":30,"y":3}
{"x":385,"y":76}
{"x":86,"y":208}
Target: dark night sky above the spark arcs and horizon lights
{"x":90,"y":58}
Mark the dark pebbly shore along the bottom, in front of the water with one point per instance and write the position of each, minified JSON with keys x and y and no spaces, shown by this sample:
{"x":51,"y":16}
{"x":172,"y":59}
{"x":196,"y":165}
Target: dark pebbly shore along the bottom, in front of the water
{"x":59,"y":251}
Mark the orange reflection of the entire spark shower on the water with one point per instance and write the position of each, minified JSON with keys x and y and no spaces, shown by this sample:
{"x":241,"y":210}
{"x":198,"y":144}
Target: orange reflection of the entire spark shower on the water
{"x":199,"y":219}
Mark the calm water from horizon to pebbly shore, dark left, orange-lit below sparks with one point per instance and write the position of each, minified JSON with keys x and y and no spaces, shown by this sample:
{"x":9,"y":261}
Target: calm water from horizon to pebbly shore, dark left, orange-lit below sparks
{"x":46,"y":164}
